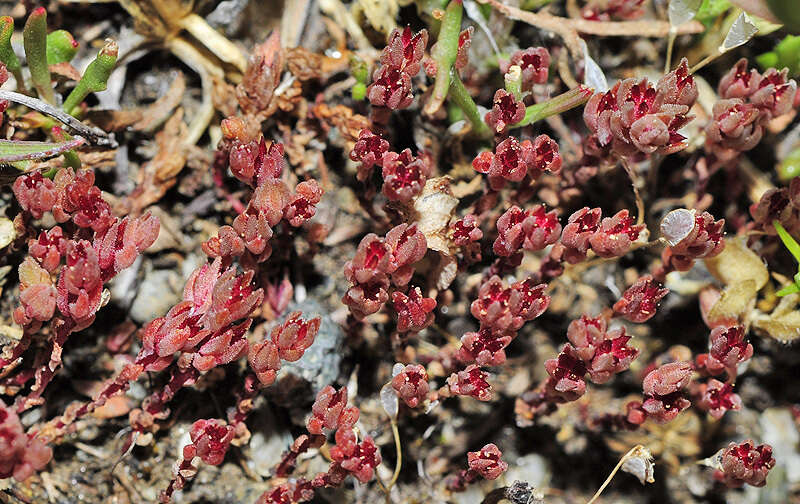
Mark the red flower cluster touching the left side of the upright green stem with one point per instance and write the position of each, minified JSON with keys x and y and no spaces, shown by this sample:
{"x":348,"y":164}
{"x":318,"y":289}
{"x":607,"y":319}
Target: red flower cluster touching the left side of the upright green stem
{"x":401,"y":61}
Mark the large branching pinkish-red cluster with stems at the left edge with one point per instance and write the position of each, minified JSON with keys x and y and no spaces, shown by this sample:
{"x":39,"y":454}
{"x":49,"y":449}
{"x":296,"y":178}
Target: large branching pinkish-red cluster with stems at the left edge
{"x":92,"y":247}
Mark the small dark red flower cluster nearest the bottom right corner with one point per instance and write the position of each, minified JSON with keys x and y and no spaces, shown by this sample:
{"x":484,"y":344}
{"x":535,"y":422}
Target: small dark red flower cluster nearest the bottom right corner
{"x":745,"y":462}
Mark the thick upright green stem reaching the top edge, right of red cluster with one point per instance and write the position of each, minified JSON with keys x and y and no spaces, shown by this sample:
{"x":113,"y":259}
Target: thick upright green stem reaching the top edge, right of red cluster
{"x":444,"y":54}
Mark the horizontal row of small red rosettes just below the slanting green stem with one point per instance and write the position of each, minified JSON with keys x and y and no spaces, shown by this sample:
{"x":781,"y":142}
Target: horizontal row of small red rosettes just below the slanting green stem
{"x":513,"y":161}
